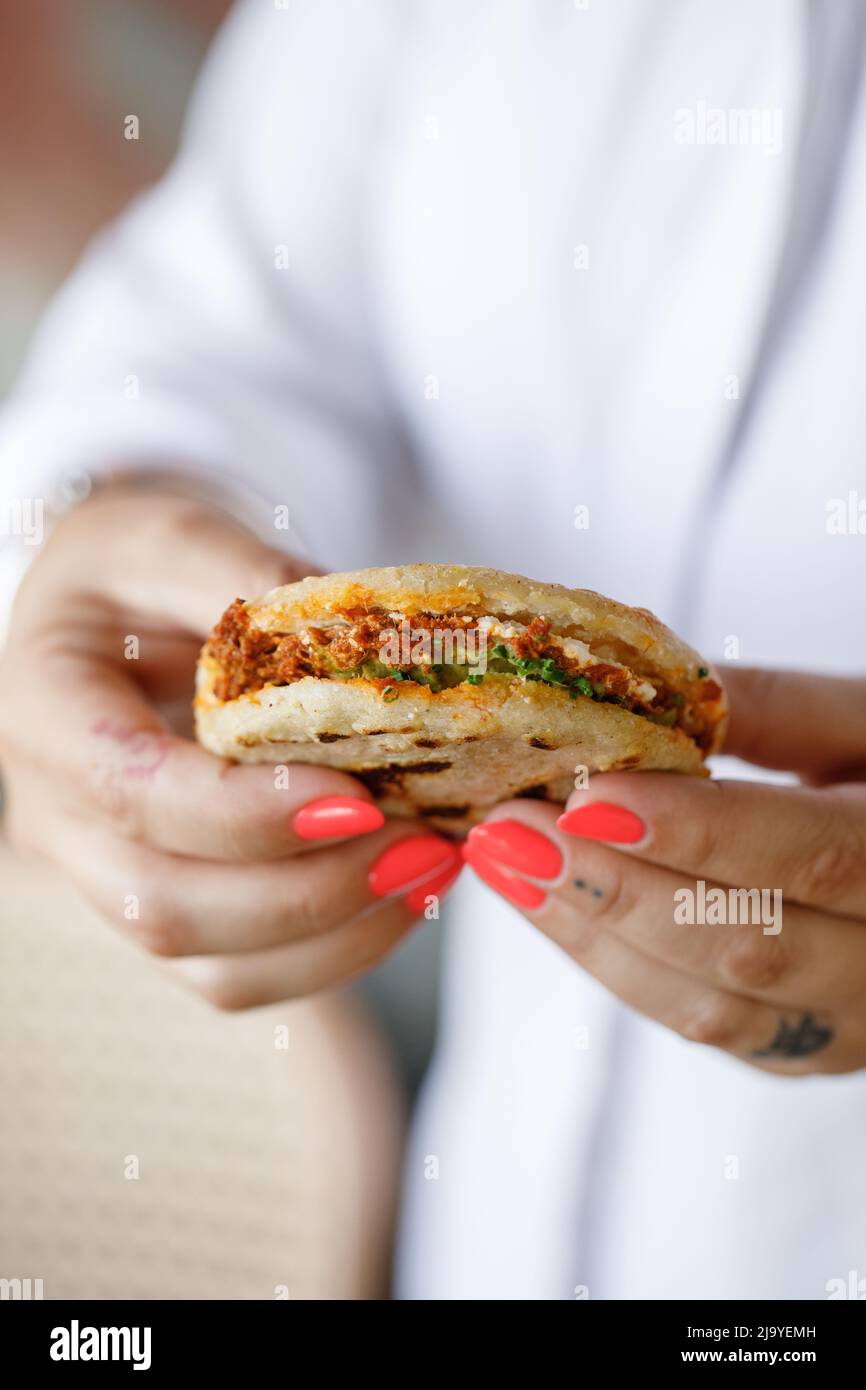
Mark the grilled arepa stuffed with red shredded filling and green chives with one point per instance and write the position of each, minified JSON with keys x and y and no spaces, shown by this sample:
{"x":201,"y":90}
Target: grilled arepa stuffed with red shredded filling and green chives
{"x":448,"y":689}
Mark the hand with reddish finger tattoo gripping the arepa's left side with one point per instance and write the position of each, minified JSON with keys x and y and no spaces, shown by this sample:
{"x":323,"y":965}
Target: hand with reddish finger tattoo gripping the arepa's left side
{"x":263,"y":892}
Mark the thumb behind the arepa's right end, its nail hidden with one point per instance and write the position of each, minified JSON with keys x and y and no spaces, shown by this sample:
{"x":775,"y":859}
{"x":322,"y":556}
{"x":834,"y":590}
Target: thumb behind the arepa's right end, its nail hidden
{"x":796,"y":722}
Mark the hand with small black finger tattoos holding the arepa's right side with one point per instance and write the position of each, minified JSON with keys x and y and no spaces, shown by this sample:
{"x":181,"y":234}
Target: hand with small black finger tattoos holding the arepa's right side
{"x":776,"y":978}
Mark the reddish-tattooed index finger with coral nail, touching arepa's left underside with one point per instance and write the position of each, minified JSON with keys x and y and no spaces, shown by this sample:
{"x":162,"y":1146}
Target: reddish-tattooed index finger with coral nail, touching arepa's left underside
{"x":116,"y":760}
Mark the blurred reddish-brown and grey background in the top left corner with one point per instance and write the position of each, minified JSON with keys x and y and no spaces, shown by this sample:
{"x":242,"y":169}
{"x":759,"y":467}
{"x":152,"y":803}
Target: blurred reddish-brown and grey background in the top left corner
{"x":70,"y":72}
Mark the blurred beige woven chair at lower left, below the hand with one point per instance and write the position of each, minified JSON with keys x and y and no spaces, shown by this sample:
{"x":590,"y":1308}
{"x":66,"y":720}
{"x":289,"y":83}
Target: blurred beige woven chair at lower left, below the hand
{"x":262,"y":1172}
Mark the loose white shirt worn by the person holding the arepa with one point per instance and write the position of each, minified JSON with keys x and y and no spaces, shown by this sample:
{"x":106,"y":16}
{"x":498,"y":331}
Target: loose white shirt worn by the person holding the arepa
{"x":521,"y":281}
